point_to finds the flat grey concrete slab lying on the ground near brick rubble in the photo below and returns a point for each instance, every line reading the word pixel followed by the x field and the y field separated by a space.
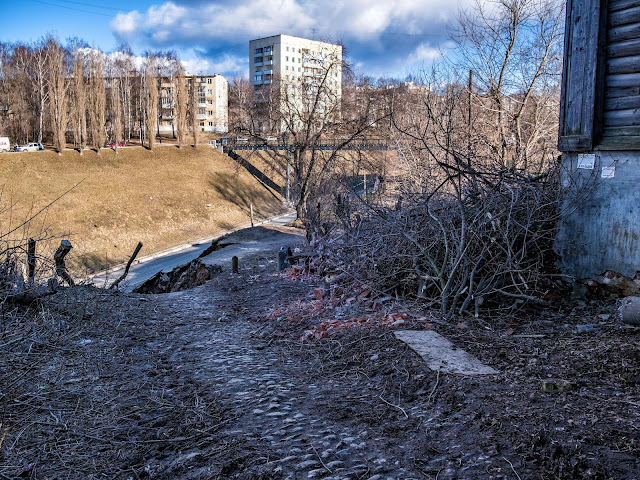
pixel 441 355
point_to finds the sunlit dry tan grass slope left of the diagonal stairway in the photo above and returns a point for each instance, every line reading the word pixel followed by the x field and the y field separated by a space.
pixel 162 197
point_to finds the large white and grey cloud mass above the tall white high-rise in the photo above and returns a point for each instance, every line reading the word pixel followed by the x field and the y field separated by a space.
pixel 386 35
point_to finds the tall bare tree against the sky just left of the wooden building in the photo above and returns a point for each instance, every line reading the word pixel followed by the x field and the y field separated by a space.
pixel 514 50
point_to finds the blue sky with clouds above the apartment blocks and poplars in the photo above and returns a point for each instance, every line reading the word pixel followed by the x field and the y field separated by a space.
pixel 383 38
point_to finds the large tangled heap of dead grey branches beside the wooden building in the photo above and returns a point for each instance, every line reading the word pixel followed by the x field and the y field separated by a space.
pixel 482 243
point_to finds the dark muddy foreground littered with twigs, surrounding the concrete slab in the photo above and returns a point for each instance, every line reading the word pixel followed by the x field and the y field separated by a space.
pixel 266 375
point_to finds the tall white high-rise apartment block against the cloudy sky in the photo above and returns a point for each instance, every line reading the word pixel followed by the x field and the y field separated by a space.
pixel 304 74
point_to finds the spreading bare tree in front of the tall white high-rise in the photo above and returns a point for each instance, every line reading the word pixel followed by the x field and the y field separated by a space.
pixel 320 141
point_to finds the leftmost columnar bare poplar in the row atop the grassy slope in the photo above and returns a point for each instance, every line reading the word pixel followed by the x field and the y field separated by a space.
pixel 57 92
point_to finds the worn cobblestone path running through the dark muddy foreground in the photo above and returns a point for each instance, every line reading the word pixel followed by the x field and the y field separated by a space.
pixel 272 405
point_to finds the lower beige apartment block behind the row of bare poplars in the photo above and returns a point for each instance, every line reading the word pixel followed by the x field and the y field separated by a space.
pixel 212 97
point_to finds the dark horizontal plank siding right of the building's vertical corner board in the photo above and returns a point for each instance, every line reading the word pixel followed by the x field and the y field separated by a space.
pixel 622 81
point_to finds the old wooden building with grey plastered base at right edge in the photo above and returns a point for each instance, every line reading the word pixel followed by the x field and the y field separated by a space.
pixel 599 138
